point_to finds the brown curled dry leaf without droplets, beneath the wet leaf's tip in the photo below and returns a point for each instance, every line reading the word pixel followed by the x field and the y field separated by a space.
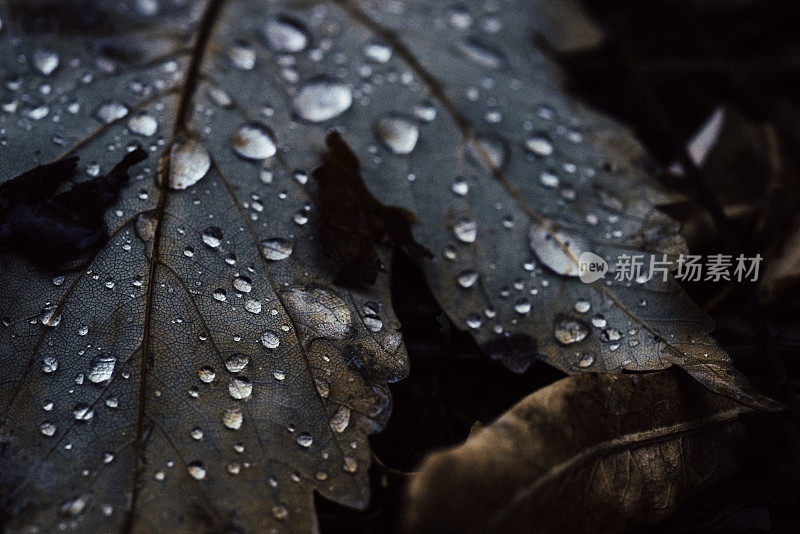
pixel 635 447
